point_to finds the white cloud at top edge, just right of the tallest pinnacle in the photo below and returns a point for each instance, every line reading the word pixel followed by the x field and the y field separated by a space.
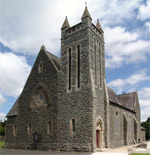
pixel 114 12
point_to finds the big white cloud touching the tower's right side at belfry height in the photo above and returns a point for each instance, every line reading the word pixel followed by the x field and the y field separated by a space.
pixel 124 47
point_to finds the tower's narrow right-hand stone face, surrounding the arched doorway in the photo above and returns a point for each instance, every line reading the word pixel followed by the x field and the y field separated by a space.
pixel 98 61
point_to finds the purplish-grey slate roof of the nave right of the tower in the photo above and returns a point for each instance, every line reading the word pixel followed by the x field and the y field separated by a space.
pixel 125 100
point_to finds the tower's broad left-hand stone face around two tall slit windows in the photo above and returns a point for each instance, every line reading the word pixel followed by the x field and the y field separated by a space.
pixel 77 102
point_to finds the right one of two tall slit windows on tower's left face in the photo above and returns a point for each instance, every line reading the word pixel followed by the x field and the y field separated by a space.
pixel 78 64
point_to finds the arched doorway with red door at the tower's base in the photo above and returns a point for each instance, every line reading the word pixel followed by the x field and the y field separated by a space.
pixel 99 134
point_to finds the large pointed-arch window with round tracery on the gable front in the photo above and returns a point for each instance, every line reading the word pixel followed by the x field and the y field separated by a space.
pixel 39 97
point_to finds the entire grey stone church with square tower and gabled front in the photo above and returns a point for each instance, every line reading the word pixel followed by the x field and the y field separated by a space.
pixel 66 105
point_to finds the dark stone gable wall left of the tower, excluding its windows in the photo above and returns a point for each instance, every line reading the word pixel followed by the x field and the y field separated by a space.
pixel 38 116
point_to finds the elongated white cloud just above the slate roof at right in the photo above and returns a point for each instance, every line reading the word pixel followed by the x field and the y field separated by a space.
pixel 121 85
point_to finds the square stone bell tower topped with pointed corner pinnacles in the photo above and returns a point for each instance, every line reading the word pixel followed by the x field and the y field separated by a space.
pixel 81 76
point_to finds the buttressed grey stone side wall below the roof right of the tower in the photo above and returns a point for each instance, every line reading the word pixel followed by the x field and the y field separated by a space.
pixel 117 139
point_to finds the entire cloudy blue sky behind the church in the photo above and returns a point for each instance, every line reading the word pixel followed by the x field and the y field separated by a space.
pixel 25 25
